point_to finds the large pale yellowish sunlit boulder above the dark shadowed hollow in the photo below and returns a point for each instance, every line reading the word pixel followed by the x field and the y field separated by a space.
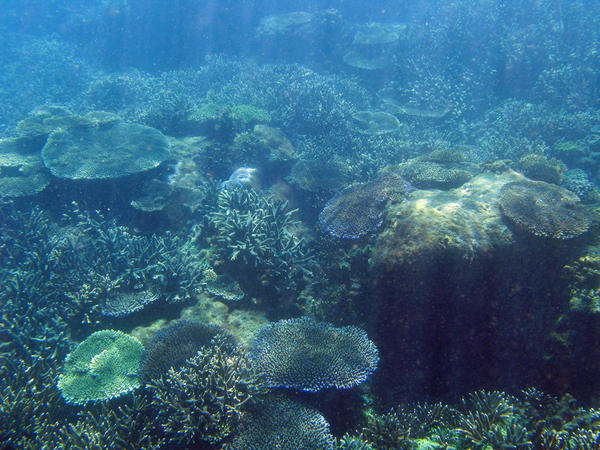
pixel 464 222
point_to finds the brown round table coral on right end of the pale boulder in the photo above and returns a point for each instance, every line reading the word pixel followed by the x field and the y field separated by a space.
pixel 544 210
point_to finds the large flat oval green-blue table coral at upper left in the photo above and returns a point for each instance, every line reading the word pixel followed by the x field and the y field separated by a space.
pixel 104 150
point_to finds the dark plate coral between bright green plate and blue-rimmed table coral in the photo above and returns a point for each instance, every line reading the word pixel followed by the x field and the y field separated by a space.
pixel 178 342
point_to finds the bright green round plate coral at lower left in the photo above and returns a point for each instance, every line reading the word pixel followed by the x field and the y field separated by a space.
pixel 102 367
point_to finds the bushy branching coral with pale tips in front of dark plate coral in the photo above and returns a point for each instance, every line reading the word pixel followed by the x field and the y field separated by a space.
pixel 204 400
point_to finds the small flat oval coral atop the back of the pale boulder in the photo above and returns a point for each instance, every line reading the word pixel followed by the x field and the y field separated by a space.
pixel 432 175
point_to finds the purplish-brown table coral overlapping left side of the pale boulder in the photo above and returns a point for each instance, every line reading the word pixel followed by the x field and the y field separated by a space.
pixel 358 210
